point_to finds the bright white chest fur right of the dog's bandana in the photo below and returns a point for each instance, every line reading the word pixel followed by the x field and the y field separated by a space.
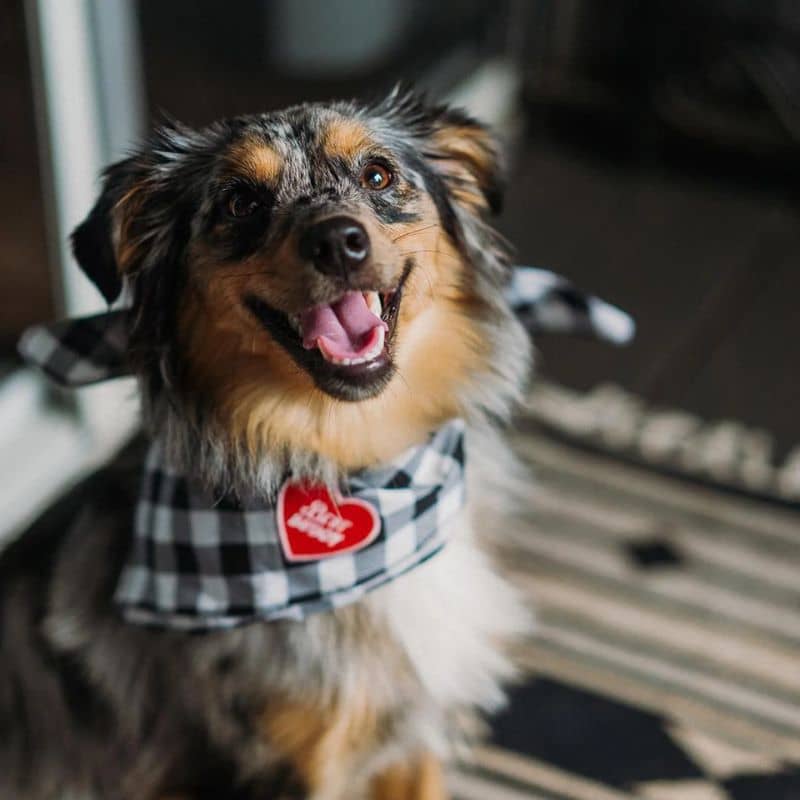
pixel 454 616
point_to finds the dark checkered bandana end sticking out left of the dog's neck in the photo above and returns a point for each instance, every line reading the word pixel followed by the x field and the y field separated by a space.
pixel 79 351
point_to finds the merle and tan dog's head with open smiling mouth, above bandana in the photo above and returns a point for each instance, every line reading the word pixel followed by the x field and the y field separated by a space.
pixel 321 279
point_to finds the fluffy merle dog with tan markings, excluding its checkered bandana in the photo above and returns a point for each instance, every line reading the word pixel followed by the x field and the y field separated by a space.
pixel 312 292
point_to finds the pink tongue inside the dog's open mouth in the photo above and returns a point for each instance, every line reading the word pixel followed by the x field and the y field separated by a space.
pixel 345 326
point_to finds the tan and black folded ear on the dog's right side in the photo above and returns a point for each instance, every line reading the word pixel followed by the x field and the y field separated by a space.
pixel 468 156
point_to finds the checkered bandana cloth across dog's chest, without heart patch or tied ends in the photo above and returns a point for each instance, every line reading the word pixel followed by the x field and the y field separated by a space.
pixel 201 562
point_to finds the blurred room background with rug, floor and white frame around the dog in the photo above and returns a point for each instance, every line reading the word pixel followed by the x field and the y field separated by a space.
pixel 654 152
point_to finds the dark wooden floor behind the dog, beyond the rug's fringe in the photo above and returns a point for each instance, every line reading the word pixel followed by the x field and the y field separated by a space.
pixel 704 251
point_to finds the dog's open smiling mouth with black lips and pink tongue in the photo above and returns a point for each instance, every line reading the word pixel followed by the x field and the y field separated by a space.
pixel 346 345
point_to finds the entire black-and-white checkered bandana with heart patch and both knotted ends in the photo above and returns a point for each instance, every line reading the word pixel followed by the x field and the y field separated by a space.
pixel 202 560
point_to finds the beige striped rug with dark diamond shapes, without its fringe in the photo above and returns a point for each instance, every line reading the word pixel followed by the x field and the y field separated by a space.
pixel 666 664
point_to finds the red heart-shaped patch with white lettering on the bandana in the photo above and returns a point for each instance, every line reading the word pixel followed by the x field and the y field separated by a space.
pixel 314 525
